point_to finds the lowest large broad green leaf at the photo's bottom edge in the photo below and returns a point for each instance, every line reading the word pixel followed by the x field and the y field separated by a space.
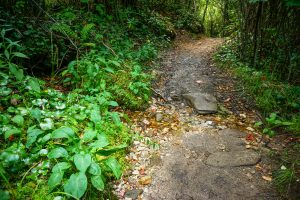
pixel 76 185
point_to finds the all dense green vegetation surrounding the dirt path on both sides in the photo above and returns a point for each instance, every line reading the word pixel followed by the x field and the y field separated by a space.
pixel 68 68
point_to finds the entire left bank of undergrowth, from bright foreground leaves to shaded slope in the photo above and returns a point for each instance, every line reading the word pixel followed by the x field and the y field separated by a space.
pixel 57 144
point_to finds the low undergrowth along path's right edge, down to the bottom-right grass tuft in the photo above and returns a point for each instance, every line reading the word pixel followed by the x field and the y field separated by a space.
pixel 279 103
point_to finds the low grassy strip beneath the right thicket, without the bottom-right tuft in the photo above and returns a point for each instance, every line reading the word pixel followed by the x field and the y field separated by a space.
pixel 279 102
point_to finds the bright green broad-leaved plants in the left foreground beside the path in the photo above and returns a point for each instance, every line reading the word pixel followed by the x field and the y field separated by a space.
pixel 71 140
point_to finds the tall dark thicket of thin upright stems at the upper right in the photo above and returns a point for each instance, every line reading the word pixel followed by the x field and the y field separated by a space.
pixel 260 42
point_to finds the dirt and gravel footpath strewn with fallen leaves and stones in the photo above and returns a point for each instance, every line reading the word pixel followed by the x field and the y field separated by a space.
pixel 208 148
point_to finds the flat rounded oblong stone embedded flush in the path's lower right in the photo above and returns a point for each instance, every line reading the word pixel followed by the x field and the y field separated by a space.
pixel 233 158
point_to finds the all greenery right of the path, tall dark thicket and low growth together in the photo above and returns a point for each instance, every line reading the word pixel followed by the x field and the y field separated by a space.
pixel 263 50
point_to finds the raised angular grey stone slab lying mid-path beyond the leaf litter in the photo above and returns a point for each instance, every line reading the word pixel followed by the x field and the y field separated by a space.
pixel 203 103
